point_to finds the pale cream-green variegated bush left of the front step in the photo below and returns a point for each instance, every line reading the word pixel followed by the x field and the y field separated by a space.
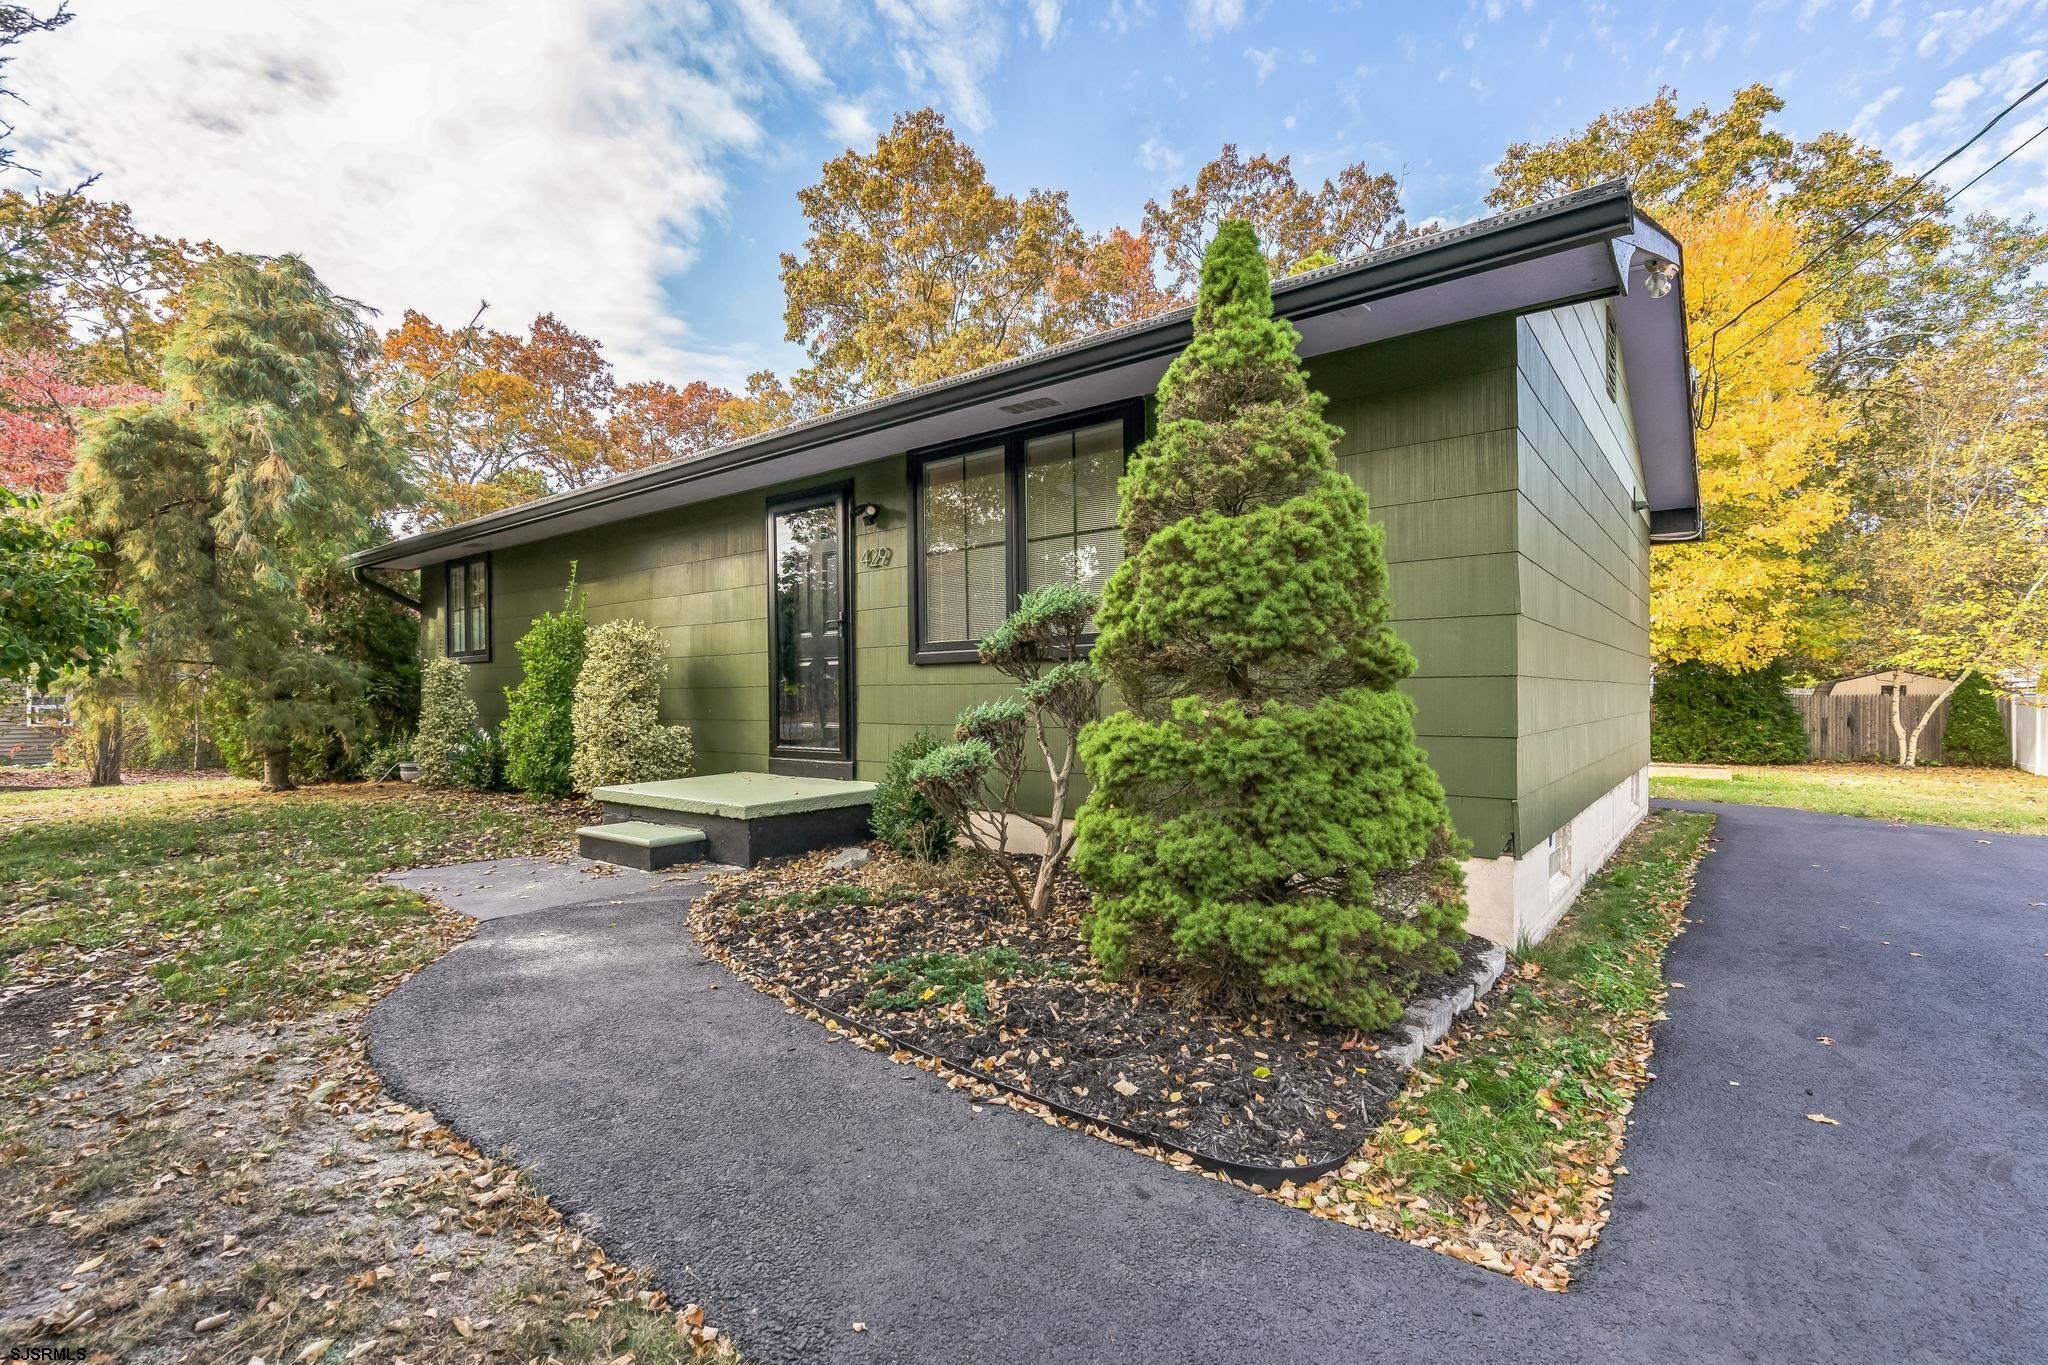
pixel 617 713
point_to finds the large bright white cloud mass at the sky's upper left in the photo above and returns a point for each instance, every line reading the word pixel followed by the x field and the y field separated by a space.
pixel 542 157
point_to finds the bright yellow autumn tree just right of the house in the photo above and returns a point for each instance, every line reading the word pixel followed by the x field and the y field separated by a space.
pixel 1768 449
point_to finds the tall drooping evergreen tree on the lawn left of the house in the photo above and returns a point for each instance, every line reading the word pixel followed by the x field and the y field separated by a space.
pixel 253 476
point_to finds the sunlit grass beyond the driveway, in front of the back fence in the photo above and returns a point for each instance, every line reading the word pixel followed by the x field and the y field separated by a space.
pixel 1998 799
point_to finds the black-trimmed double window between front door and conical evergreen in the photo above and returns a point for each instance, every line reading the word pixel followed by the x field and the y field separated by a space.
pixel 1011 513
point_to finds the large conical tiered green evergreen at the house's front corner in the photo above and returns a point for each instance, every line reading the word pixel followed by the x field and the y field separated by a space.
pixel 1261 820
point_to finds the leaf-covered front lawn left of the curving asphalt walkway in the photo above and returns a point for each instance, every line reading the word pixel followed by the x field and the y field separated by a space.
pixel 196 1159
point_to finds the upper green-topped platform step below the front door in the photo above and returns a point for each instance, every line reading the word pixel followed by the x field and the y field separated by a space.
pixel 749 818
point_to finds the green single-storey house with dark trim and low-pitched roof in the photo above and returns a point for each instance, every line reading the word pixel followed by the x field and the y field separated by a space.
pixel 1514 398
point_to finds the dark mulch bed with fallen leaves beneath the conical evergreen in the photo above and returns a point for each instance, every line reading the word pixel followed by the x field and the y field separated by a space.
pixel 943 961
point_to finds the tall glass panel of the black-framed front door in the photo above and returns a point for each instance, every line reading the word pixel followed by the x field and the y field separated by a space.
pixel 810 629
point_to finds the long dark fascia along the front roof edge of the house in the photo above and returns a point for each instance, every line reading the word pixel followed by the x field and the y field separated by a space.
pixel 1601 214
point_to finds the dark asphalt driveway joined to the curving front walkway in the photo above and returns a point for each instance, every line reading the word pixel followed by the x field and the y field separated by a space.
pixel 796 1186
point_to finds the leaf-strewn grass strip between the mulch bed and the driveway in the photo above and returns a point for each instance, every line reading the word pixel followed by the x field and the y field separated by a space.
pixel 1506 1145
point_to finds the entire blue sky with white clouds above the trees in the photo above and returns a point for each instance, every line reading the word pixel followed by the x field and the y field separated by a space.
pixel 634 167
